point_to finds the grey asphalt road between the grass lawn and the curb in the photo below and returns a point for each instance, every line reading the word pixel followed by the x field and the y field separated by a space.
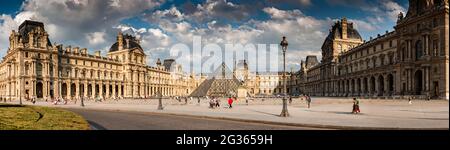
pixel 122 120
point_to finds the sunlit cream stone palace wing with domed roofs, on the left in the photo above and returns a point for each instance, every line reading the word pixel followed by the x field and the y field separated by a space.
pixel 34 67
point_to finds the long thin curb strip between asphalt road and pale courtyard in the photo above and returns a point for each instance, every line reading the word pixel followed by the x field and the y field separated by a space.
pixel 319 126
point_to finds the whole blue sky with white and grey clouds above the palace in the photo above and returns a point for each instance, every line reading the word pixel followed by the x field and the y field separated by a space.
pixel 160 24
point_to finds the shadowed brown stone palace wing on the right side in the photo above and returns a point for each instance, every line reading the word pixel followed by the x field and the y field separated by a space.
pixel 412 60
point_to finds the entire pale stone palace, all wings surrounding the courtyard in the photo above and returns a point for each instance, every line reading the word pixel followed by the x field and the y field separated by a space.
pixel 412 60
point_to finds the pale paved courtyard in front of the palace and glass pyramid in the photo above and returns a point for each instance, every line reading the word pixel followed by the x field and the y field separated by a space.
pixel 324 112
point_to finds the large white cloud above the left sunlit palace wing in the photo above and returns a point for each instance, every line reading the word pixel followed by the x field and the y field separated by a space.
pixel 68 21
